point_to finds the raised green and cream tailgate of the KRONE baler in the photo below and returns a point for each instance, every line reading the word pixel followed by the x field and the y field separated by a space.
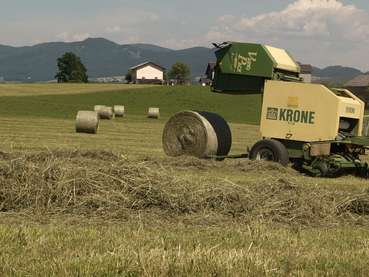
pixel 244 67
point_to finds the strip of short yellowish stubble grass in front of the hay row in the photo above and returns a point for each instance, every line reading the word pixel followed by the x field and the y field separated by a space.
pixel 138 249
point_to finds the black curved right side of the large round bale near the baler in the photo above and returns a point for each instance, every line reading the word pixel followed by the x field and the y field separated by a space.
pixel 222 130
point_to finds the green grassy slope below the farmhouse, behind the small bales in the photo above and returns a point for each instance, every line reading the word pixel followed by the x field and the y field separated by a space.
pixel 235 108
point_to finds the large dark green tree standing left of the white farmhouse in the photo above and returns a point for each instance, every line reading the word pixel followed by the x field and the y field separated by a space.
pixel 71 69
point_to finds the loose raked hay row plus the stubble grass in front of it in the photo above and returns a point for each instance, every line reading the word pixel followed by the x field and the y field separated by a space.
pixel 176 217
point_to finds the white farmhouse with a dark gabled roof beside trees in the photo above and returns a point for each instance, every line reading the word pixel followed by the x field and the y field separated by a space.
pixel 147 73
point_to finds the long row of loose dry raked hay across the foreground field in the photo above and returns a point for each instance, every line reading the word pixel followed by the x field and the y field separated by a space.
pixel 102 184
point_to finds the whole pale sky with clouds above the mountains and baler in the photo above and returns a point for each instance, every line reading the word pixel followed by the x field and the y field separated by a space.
pixel 320 32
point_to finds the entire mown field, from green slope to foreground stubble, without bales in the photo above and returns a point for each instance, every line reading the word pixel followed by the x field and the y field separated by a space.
pixel 113 204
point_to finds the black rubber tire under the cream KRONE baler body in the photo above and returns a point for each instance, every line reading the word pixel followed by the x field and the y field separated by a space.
pixel 276 148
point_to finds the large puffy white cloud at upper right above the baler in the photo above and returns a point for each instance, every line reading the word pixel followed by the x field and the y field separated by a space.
pixel 328 19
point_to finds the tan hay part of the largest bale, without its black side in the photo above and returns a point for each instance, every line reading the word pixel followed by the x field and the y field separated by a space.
pixel 189 133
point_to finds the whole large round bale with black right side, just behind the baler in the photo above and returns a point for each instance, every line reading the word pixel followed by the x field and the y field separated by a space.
pixel 192 133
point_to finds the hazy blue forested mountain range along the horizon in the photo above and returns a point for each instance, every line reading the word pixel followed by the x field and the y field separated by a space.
pixel 105 58
